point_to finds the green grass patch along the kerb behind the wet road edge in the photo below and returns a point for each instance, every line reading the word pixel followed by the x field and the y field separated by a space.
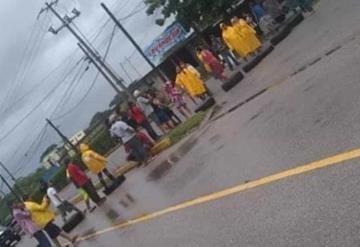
pixel 184 128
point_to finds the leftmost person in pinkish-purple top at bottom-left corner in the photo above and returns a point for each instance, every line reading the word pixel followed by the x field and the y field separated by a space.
pixel 23 218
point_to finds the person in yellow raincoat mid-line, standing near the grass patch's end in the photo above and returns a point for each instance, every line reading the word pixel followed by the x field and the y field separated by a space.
pixel 188 78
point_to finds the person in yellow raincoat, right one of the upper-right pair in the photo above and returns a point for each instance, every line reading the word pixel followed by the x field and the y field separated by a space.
pixel 247 32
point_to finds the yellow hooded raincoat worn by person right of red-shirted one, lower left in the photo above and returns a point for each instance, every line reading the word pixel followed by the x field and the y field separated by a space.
pixel 95 162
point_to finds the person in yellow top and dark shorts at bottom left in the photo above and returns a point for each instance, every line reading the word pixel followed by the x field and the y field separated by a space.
pixel 44 218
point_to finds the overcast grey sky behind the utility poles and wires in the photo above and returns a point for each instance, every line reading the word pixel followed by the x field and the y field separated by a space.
pixel 34 63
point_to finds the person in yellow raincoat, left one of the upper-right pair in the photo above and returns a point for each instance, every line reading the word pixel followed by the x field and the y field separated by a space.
pixel 235 41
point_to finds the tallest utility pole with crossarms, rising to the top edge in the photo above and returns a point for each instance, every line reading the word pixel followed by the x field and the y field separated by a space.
pixel 66 21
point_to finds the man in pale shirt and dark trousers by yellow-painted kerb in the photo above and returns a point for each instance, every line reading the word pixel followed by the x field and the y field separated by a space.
pixel 127 134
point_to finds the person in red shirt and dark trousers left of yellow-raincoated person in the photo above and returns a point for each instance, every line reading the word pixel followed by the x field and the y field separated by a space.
pixel 81 180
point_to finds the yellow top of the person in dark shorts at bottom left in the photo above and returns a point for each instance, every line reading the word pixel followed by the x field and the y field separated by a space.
pixel 40 213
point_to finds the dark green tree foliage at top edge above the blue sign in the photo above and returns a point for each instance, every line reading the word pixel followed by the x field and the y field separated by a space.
pixel 188 12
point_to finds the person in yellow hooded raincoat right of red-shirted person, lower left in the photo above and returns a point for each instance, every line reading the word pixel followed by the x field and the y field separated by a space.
pixel 96 163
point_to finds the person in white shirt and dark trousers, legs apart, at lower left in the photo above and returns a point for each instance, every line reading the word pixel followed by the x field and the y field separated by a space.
pixel 61 205
